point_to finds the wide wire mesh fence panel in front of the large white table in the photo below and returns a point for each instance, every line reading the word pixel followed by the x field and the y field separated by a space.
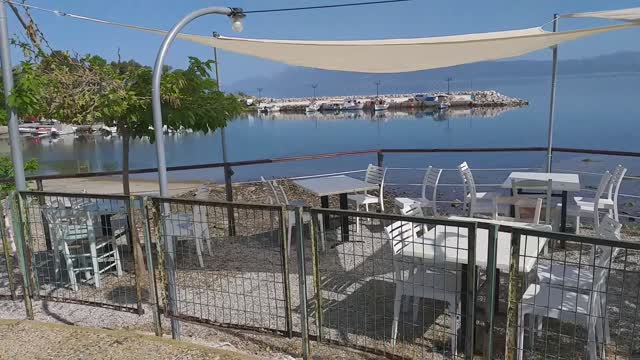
pixel 395 285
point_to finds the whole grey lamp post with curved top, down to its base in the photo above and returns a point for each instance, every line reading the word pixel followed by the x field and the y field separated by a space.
pixel 236 16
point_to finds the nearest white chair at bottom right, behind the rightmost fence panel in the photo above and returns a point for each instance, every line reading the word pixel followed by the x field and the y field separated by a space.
pixel 573 294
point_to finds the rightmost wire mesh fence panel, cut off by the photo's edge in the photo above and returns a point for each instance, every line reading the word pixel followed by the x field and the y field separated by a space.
pixel 576 302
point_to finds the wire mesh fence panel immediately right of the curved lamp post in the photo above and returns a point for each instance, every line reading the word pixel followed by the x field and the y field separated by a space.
pixel 229 262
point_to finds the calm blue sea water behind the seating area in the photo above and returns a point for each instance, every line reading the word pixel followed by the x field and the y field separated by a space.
pixel 598 112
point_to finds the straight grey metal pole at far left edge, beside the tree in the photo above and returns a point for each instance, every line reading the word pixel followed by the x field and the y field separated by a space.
pixel 12 116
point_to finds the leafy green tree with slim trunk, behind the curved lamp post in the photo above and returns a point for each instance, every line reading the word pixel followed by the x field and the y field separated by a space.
pixel 88 89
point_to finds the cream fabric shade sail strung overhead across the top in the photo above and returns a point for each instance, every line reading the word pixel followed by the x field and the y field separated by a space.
pixel 403 55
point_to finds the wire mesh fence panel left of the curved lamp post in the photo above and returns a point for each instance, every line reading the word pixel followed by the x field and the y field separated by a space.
pixel 79 249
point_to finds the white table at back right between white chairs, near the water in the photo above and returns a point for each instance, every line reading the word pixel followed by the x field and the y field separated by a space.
pixel 561 182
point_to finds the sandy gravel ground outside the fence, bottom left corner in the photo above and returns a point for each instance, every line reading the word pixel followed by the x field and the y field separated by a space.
pixel 22 339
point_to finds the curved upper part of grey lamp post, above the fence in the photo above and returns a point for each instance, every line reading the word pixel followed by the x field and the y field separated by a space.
pixel 155 85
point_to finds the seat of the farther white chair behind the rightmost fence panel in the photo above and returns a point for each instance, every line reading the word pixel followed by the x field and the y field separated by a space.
pixel 566 276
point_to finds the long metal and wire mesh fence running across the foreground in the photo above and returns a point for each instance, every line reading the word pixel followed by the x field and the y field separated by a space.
pixel 380 286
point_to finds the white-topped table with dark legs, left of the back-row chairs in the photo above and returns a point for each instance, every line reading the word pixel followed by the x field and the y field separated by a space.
pixel 335 185
